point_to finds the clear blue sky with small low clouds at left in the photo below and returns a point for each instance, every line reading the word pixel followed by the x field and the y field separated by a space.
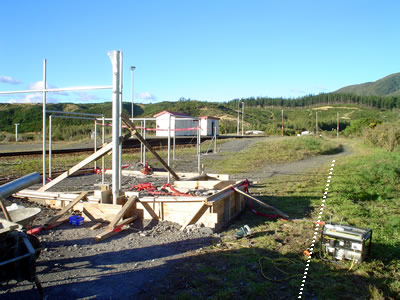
pixel 206 50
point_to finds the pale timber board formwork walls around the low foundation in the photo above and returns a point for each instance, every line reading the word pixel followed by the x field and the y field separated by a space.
pixel 213 211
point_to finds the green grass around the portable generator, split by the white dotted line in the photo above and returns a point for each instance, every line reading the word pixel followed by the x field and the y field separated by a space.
pixel 364 192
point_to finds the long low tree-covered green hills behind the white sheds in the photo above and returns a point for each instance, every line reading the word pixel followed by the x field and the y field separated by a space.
pixel 260 114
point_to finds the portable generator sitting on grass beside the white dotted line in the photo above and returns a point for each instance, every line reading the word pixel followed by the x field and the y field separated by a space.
pixel 340 242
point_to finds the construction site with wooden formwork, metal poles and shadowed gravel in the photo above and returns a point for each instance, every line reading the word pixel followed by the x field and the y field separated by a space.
pixel 80 225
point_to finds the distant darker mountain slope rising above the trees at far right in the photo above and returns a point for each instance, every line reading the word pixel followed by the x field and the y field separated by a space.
pixel 387 86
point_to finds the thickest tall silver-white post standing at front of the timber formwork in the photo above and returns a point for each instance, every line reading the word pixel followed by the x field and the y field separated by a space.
pixel 115 60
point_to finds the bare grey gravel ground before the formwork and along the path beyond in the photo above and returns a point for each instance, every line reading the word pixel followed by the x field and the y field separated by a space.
pixel 132 264
